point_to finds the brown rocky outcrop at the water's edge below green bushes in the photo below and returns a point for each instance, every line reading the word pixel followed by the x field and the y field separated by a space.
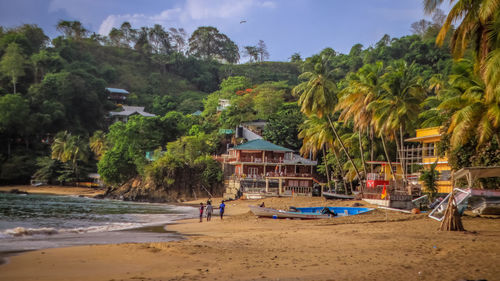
pixel 187 186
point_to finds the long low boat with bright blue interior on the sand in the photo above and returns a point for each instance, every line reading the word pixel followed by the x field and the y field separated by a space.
pixel 308 213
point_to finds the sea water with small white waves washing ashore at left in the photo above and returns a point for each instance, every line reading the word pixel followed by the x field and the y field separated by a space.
pixel 29 222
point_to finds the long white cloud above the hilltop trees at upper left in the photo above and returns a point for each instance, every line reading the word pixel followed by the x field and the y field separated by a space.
pixel 190 14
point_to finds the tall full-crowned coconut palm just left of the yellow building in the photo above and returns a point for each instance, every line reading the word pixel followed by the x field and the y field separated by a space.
pixel 395 110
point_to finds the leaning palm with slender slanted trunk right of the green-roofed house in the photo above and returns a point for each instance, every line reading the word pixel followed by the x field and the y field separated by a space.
pixel 317 96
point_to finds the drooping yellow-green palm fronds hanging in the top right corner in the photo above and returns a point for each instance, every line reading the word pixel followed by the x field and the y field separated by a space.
pixel 476 18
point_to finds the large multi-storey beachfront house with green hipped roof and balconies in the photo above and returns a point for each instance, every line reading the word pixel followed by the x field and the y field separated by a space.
pixel 259 168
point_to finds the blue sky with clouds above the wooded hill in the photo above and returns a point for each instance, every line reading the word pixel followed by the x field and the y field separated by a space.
pixel 286 26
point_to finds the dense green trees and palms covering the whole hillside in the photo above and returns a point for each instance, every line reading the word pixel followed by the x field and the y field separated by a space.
pixel 344 109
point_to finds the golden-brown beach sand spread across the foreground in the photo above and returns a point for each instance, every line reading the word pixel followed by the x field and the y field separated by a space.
pixel 377 246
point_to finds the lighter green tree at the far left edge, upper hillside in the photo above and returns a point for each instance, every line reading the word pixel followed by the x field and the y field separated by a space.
pixel 12 63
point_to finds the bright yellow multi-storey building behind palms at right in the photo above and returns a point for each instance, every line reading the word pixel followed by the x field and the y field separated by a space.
pixel 426 153
